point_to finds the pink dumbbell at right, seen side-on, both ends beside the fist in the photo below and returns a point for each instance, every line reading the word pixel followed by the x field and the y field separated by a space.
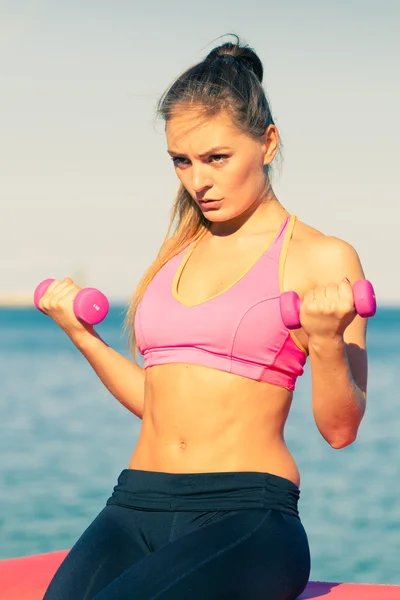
pixel 364 302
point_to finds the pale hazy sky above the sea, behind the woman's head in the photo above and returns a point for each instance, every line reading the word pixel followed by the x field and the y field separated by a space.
pixel 86 184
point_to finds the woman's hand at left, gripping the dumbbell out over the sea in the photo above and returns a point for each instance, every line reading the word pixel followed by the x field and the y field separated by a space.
pixel 57 302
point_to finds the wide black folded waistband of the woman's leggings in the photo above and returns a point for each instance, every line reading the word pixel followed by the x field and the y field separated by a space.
pixel 153 490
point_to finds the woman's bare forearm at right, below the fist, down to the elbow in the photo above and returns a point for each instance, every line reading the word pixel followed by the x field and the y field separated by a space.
pixel 338 403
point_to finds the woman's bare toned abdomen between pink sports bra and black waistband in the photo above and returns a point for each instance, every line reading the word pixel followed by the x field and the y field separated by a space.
pixel 198 419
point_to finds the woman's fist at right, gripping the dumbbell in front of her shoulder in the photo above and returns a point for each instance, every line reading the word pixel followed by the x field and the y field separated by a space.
pixel 326 311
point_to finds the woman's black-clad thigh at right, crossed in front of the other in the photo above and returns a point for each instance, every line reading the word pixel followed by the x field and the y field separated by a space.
pixel 254 554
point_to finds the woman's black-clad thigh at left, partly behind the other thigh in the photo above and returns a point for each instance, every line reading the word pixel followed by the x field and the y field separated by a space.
pixel 111 544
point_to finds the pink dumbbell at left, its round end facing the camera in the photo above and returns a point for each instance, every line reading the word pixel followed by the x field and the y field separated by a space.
pixel 90 305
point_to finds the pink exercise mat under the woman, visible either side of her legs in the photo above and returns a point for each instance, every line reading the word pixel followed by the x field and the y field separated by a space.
pixel 27 579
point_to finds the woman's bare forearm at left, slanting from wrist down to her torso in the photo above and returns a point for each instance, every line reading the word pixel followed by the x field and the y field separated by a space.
pixel 123 379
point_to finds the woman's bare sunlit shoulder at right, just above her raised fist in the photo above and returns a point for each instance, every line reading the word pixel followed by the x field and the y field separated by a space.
pixel 328 258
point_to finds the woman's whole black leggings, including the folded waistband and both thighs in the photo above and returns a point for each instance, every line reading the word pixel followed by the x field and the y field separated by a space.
pixel 200 536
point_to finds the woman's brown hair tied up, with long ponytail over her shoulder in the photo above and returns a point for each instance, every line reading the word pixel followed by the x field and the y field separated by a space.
pixel 229 79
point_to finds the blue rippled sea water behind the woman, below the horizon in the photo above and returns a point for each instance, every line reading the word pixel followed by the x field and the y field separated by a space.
pixel 64 440
